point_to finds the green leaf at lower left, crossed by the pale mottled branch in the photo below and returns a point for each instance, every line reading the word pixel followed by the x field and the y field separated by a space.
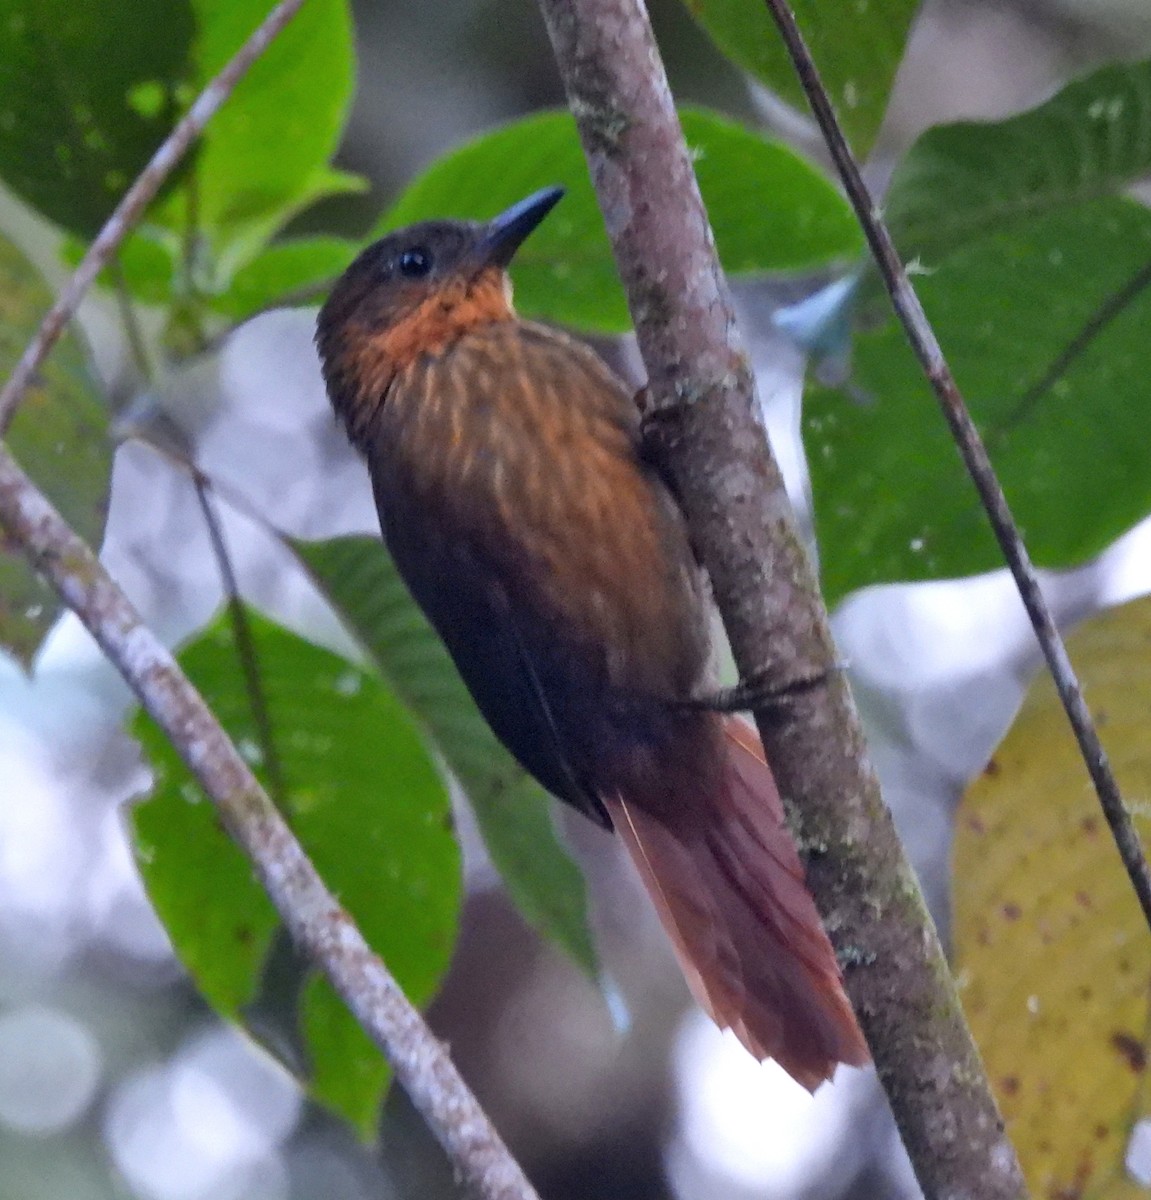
pixel 367 803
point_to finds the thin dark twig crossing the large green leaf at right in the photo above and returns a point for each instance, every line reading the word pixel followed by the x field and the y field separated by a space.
pixel 975 458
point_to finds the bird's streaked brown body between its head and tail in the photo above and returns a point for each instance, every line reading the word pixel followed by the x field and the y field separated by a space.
pixel 553 562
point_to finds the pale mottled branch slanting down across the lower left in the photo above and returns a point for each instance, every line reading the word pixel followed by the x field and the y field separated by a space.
pixel 313 915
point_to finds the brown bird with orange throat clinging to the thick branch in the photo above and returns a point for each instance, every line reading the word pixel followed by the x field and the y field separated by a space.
pixel 553 560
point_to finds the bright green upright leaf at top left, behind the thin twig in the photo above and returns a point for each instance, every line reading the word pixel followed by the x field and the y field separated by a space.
pixel 266 154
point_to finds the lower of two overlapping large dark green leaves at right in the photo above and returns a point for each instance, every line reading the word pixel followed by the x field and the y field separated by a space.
pixel 892 501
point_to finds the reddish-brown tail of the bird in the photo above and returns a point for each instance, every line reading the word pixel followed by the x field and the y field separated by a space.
pixel 729 887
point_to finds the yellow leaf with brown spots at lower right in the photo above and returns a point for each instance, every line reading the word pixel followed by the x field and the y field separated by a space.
pixel 1053 955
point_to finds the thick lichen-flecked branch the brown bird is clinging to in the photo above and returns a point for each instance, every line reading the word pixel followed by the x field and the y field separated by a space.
pixel 704 393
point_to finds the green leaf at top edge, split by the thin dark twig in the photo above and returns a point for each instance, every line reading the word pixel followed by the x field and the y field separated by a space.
pixel 858 49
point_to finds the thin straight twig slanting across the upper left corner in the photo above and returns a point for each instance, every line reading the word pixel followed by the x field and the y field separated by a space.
pixel 134 203
